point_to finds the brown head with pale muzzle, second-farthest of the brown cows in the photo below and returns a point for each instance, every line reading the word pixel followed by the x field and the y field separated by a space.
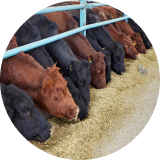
pixel 130 51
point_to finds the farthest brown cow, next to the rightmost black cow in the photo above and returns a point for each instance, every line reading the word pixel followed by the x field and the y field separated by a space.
pixel 123 26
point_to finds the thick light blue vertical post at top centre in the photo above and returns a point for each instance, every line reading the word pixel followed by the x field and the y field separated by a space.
pixel 83 15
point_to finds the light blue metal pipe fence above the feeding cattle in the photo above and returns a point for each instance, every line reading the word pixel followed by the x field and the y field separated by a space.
pixel 83 27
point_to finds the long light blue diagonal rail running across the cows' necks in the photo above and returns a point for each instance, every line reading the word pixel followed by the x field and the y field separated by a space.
pixel 42 42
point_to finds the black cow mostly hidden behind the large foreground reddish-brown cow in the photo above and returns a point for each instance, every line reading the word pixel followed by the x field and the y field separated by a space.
pixel 32 34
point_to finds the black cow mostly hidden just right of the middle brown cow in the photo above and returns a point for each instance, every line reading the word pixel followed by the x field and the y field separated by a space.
pixel 92 40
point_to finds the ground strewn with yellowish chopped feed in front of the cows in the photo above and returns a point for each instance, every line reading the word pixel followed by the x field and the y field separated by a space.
pixel 117 114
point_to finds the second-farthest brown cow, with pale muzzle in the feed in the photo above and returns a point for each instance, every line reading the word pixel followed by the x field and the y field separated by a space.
pixel 130 51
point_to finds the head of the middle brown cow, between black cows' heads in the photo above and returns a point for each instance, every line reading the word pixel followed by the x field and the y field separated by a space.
pixel 97 70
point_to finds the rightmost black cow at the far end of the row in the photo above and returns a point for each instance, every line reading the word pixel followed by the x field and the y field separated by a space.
pixel 136 28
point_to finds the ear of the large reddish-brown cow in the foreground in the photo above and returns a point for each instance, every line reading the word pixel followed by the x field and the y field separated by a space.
pixel 46 85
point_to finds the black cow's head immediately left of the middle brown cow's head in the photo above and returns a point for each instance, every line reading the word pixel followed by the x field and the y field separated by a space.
pixel 81 77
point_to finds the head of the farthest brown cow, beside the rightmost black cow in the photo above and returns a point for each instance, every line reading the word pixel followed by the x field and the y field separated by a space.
pixel 138 43
